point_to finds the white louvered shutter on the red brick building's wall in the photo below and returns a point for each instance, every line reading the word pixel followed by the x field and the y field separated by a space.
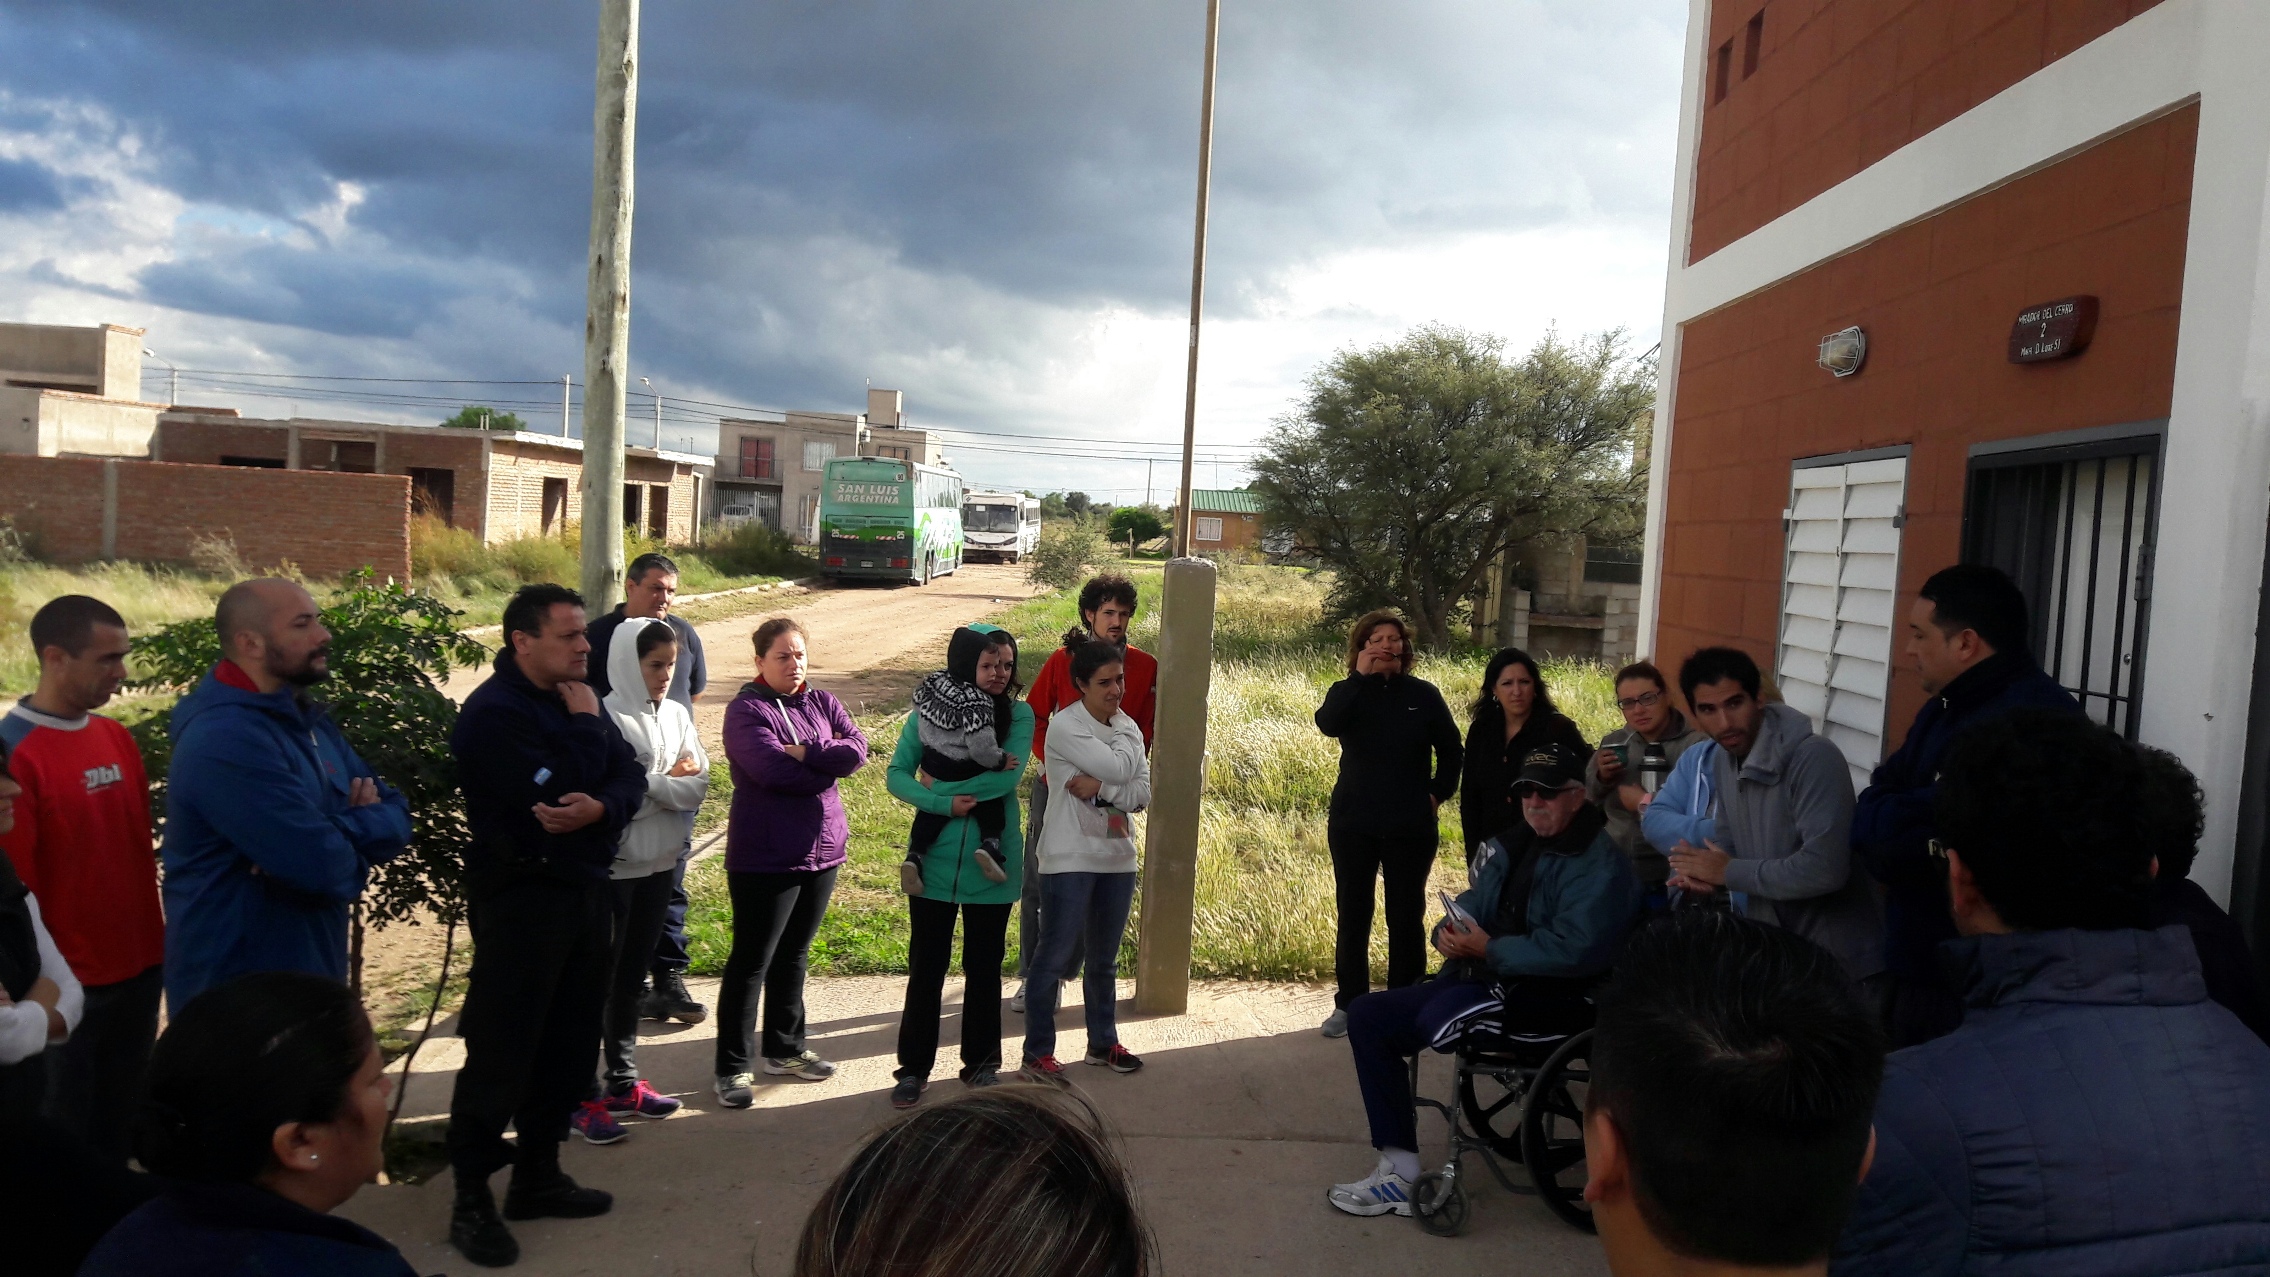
pixel 1840 602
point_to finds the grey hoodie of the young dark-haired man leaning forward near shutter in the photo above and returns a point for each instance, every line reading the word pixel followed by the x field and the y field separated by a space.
pixel 1785 815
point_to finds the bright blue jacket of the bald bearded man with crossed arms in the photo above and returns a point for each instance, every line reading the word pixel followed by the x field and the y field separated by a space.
pixel 262 852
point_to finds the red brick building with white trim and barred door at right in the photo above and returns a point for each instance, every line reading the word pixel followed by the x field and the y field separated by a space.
pixel 1978 280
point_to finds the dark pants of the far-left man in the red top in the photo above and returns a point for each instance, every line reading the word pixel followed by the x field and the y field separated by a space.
pixel 94 1076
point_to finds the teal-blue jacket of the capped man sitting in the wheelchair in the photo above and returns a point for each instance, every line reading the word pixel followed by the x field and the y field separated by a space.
pixel 1581 906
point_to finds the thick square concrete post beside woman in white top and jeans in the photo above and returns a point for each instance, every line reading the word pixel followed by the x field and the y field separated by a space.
pixel 1170 872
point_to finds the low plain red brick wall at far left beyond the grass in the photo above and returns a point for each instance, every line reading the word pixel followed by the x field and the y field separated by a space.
pixel 328 525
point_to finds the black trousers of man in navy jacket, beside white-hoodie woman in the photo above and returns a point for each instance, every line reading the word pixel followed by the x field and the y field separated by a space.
pixel 541 956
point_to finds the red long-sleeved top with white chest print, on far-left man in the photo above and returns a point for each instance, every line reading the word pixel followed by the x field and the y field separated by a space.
pixel 83 843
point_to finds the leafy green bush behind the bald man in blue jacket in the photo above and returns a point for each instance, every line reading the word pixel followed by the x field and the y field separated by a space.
pixel 392 650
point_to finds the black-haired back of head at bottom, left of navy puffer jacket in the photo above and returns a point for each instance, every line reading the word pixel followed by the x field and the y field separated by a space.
pixel 1740 1072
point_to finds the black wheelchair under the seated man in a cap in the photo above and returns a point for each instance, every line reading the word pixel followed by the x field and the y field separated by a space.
pixel 1517 1099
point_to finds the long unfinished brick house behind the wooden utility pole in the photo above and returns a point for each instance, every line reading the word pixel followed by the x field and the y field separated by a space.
pixel 496 484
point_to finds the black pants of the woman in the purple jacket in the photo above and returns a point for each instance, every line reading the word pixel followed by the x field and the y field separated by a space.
pixel 775 920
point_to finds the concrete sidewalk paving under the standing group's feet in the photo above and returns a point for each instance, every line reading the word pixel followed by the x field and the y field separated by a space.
pixel 1238 1124
